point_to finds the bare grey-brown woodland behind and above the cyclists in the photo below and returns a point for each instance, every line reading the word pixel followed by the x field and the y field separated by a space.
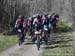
pixel 11 8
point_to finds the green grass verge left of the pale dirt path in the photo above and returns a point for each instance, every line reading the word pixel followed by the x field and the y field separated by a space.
pixel 7 41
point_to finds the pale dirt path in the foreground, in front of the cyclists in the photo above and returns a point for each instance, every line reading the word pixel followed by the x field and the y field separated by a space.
pixel 24 50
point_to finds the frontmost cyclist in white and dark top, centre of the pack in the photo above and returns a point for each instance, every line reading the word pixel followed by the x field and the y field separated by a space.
pixel 37 27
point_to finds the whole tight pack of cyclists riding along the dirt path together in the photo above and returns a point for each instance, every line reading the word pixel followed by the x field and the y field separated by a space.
pixel 39 26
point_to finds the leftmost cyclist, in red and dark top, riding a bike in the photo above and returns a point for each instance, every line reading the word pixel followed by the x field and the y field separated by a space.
pixel 19 25
